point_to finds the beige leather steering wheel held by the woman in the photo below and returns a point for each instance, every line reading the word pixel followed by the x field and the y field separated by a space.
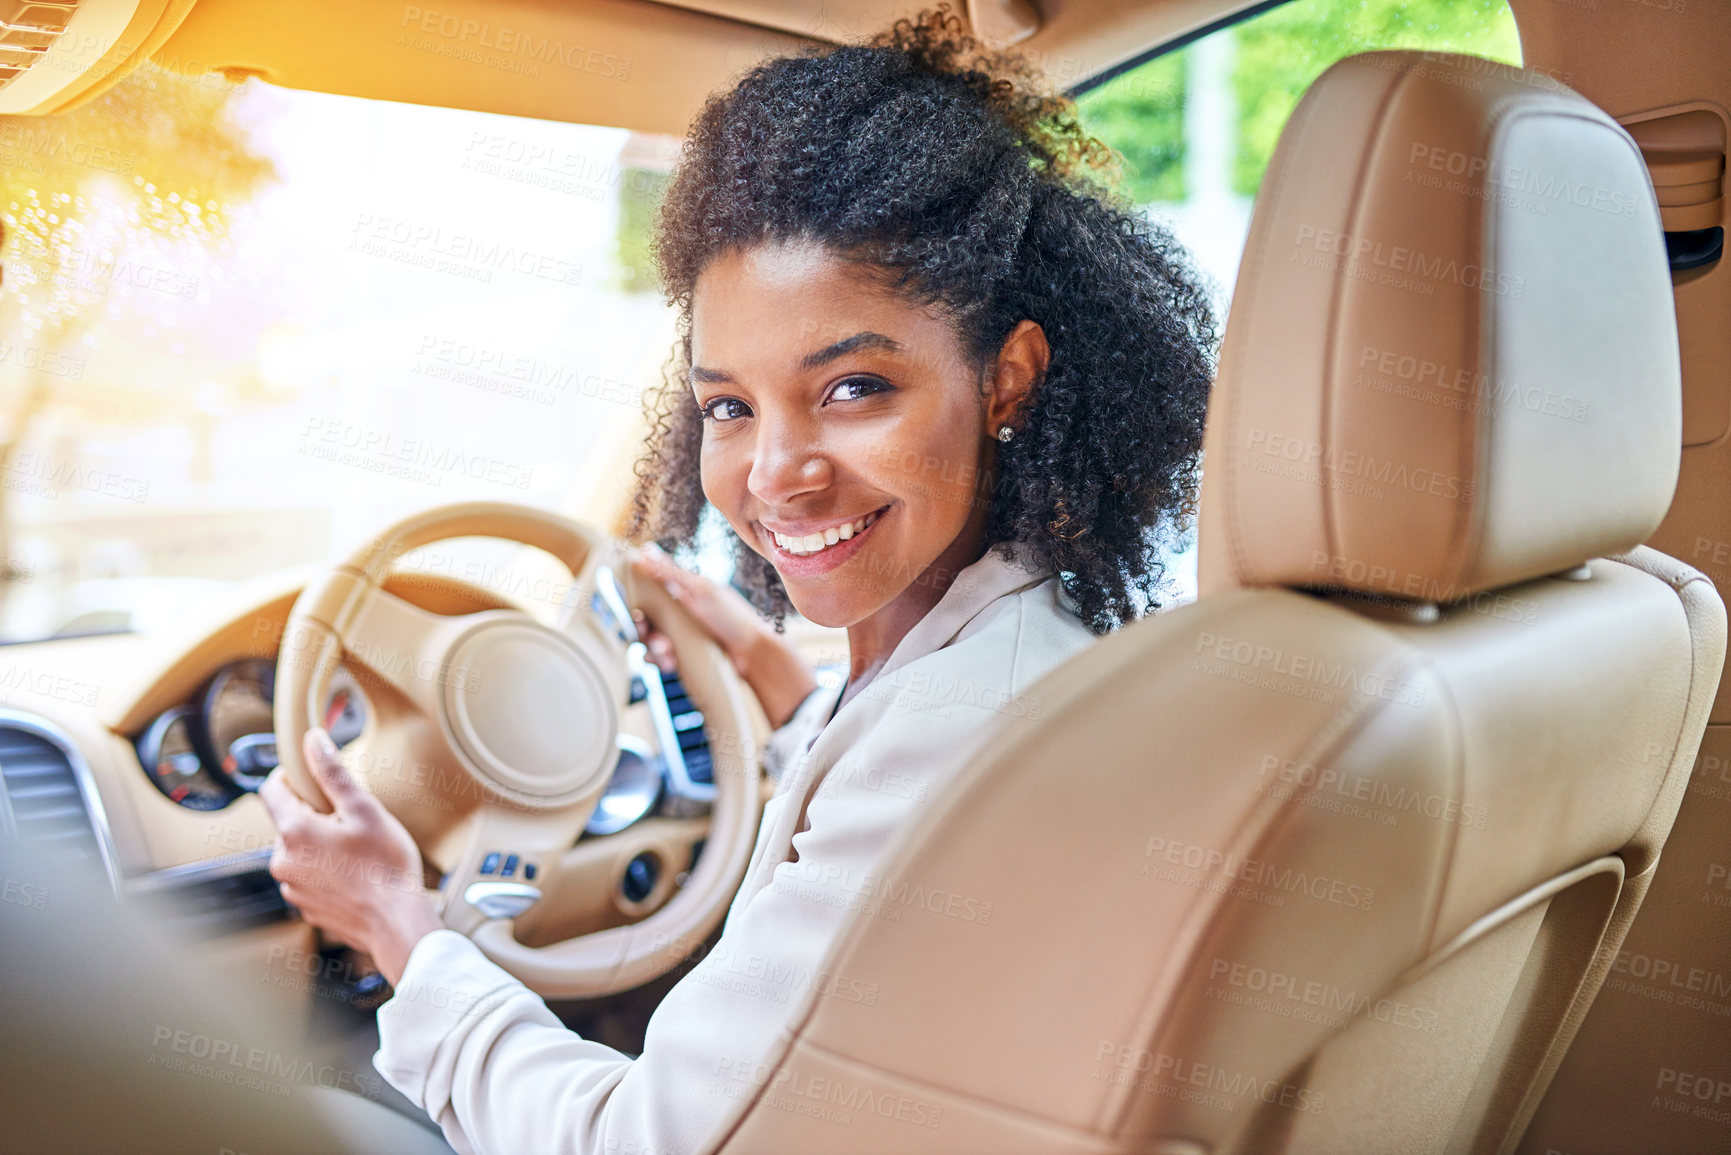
pixel 492 737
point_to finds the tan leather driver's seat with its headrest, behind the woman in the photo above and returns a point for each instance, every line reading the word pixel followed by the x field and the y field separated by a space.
pixel 1335 858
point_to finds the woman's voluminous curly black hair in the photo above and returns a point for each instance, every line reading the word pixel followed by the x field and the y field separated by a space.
pixel 963 179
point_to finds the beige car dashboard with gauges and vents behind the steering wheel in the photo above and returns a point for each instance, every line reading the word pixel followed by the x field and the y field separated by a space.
pixel 151 773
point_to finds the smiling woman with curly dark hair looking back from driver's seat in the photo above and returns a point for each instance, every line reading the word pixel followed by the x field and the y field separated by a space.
pixel 948 392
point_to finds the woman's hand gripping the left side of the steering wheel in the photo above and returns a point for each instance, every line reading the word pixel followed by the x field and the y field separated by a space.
pixel 356 872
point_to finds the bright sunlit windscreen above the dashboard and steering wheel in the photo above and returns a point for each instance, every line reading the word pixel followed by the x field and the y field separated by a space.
pixel 243 326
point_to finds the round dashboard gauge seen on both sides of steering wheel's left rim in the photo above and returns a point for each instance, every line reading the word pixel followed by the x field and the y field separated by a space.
pixel 241 728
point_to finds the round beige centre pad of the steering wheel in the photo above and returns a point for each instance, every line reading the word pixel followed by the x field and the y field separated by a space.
pixel 532 713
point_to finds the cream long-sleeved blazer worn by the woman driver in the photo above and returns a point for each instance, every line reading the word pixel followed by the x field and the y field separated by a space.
pixel 498 1071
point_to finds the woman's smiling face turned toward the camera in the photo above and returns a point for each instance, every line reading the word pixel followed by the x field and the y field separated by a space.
pixel 846 430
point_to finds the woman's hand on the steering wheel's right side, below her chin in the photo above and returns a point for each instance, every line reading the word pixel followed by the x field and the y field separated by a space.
pixel 764 659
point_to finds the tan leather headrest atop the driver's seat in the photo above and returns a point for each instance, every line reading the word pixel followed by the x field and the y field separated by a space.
pixel 1451 361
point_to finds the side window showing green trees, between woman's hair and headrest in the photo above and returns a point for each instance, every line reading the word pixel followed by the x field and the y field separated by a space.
pixel 1197 126
